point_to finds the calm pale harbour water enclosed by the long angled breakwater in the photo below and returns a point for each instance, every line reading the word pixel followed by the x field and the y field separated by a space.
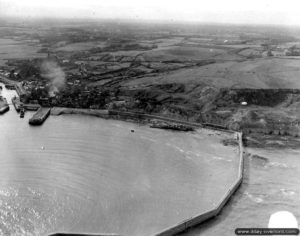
pixel 85 174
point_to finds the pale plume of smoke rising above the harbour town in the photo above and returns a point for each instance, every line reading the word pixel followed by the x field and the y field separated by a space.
pixel 52 71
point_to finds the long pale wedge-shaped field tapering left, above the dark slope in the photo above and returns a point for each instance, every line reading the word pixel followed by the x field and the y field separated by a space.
pixel 258 73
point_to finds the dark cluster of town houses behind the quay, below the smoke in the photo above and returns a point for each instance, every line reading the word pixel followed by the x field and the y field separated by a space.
pixel 73 94
